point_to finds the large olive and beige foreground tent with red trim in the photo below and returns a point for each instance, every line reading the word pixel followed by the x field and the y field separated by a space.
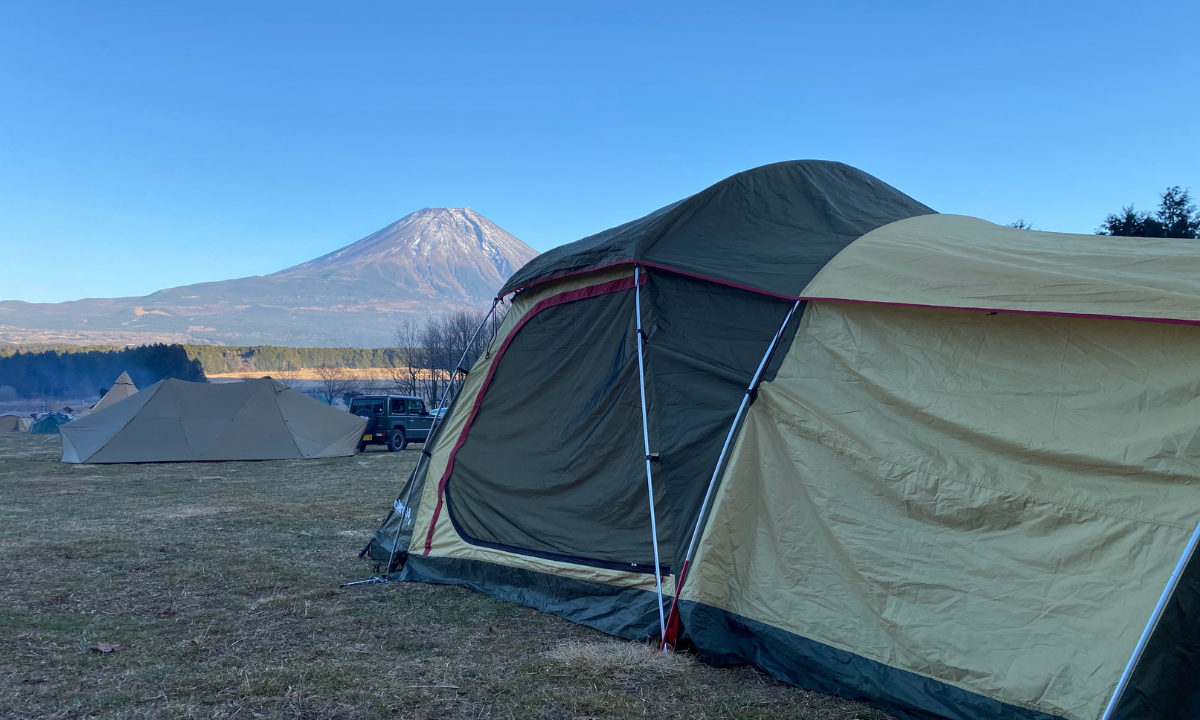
pixel 922 460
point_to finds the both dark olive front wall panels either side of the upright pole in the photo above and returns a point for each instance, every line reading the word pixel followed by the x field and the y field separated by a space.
pixel 554 463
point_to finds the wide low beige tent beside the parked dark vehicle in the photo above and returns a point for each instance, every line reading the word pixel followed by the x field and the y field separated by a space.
pixel 181 422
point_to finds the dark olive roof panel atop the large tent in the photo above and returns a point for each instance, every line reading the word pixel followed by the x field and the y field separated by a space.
pixel 771 229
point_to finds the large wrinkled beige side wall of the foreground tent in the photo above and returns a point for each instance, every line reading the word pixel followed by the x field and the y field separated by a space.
pixel 995 502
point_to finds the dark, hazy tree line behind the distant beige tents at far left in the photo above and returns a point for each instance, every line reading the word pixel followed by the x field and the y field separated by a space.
pixel 33 373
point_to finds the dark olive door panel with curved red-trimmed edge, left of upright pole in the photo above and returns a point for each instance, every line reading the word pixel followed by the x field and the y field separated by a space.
pixel 553 464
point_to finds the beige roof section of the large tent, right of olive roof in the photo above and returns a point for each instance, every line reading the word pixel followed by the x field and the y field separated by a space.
pixel 952 261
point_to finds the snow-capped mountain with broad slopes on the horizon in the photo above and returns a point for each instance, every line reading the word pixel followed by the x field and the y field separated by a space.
pixel 430 262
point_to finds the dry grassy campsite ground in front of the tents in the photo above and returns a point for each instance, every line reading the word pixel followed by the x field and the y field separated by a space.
pixel 220 584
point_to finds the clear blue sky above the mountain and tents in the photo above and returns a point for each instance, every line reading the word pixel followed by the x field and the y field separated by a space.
pixel 148 146
